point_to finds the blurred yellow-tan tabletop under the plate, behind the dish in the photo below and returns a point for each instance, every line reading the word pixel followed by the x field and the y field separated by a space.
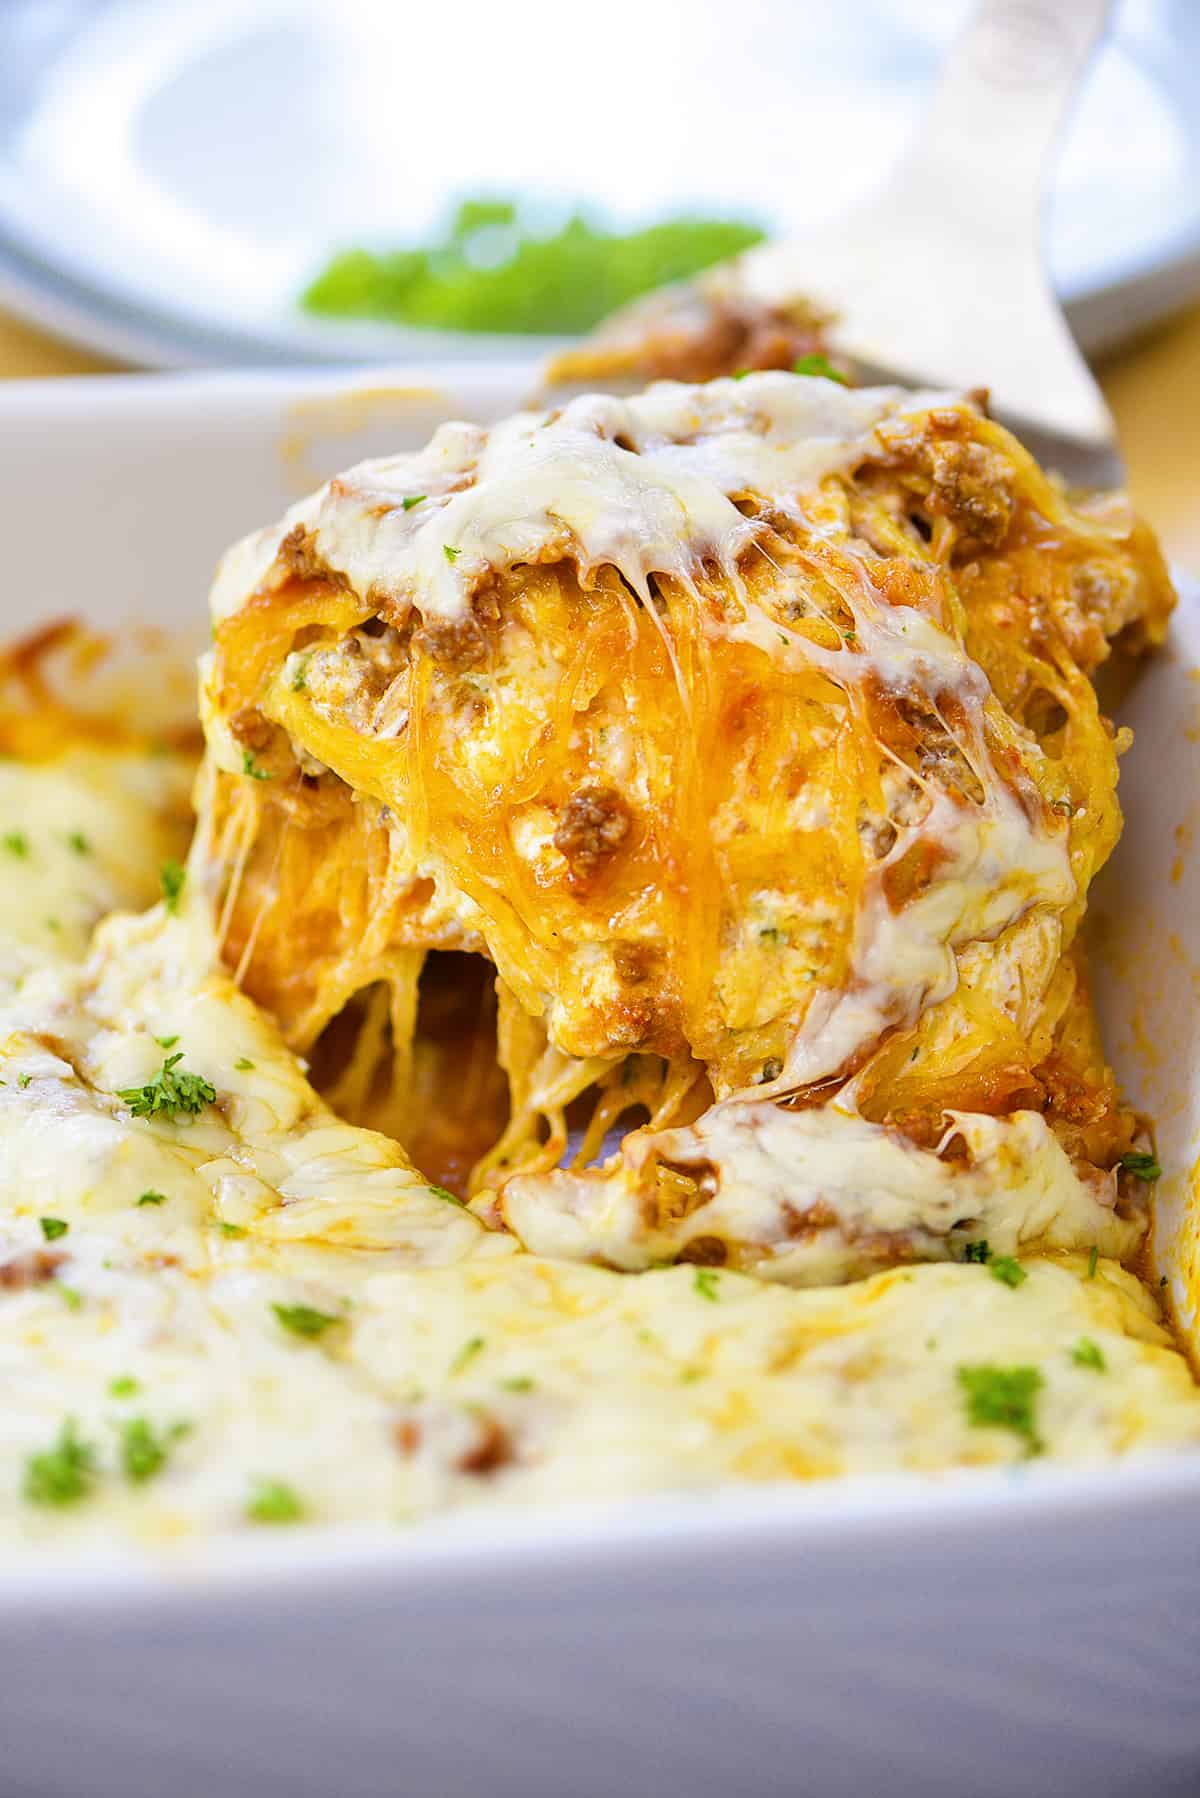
pixel 1154 389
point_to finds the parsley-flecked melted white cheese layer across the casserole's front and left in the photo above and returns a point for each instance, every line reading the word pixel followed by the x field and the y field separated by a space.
pixel 460 1369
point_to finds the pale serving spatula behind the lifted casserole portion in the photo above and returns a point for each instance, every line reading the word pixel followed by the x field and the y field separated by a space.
pixel 940 278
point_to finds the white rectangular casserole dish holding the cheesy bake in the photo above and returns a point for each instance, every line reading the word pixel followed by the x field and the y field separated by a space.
pixel 1032 1632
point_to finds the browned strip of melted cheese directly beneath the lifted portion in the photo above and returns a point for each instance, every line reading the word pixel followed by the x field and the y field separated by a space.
pixel 821 1197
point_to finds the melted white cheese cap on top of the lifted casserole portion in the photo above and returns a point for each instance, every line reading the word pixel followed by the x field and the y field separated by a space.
pixel 641 485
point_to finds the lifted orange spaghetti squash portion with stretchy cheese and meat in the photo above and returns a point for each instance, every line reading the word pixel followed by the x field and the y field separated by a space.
pixel 771 648
